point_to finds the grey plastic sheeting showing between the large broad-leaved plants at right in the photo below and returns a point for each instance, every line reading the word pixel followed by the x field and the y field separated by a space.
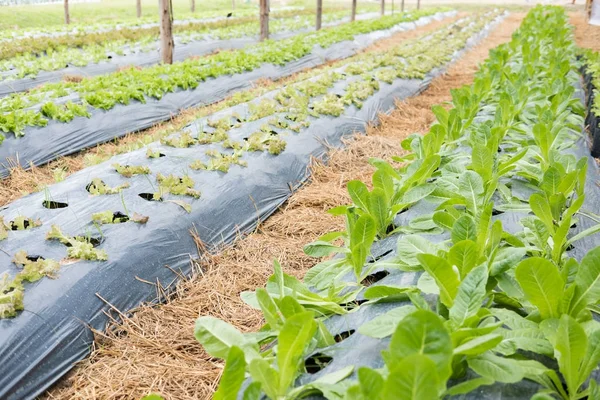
pixel 364 351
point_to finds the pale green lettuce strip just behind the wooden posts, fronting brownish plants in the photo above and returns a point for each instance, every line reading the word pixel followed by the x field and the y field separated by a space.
pixel 30 64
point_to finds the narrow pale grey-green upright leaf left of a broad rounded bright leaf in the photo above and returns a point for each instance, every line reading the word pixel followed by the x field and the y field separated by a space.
pixel 470 295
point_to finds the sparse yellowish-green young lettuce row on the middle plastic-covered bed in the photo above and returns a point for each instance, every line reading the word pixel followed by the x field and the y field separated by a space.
pixel 226 141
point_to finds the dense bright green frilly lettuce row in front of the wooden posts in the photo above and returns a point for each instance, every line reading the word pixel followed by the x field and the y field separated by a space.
pixel 72 99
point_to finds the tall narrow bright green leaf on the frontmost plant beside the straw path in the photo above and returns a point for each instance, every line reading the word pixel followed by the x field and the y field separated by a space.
pixel 293 339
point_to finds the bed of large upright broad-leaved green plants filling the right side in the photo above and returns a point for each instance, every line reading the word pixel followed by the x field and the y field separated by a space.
pixel 493 304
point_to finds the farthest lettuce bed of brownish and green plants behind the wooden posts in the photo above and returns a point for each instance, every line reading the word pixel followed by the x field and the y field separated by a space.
pixel 27 57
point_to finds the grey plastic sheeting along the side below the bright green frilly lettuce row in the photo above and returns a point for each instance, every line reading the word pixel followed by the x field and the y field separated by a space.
pixel 44 144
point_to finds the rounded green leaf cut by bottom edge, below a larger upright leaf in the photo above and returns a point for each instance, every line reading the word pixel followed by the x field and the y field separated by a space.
pixel 414 378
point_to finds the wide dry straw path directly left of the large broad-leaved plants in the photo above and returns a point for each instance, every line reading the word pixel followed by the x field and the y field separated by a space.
pixel 155 350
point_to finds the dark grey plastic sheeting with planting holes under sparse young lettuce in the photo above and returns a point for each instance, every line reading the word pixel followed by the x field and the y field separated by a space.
pixel 43 342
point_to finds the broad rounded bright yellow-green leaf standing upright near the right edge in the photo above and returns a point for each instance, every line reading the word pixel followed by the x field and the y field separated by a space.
pixel 542 284
